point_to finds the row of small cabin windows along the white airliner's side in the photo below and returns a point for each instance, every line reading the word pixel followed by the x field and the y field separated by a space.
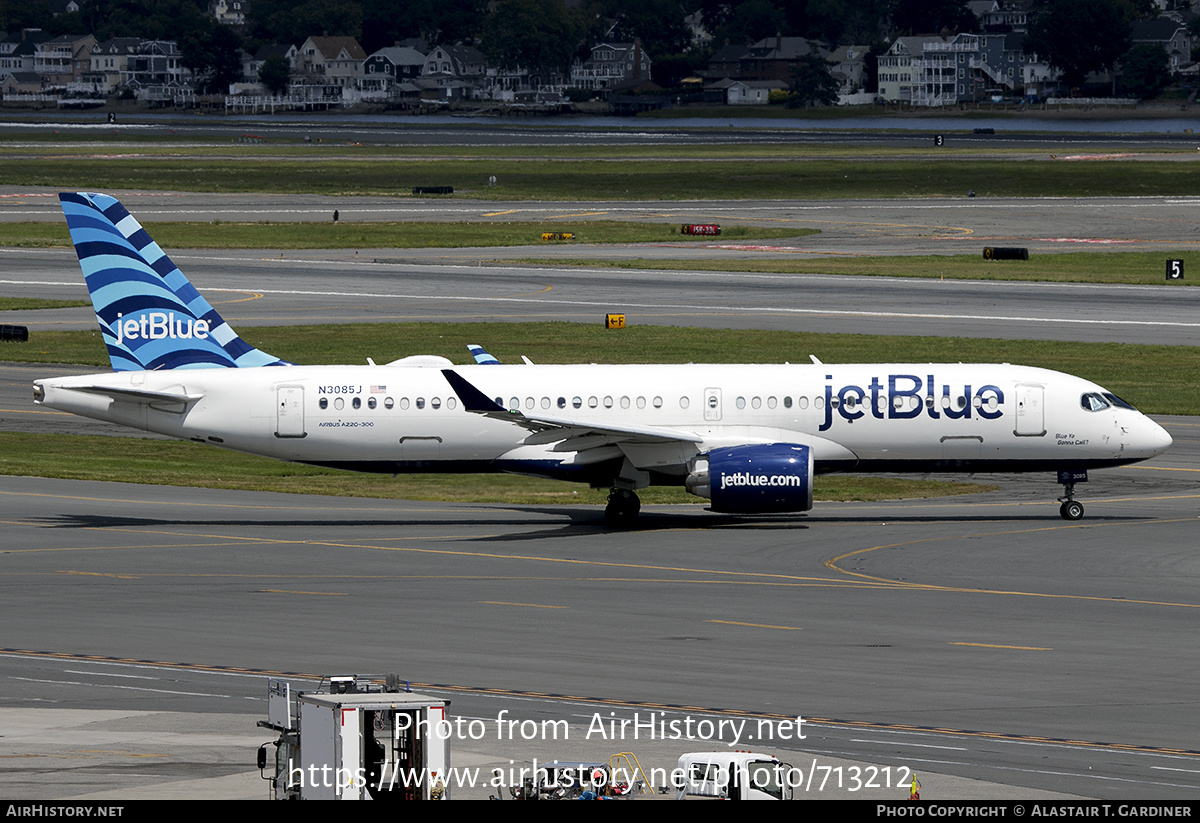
pixel 907 403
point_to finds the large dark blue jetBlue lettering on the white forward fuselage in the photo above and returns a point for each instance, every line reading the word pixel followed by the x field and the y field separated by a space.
pixel 909 397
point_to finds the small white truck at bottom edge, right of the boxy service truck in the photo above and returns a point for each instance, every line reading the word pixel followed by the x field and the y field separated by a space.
pixel 733 776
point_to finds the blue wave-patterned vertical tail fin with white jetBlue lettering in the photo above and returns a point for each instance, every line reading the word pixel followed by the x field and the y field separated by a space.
pixel 152 317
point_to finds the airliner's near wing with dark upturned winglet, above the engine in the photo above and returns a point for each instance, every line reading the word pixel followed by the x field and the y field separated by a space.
pixel 579 432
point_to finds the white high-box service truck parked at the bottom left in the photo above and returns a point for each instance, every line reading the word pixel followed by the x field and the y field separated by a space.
pixel 357 741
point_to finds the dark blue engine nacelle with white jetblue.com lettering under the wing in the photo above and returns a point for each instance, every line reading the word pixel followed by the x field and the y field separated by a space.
pixel 776 477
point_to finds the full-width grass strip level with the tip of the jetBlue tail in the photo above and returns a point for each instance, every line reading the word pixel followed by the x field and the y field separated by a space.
pixel 625 181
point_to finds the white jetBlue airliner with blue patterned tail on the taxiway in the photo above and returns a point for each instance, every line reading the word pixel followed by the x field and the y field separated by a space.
pixel 749 438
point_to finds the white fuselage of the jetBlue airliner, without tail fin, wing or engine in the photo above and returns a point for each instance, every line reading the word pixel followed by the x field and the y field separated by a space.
pixel 868 418
